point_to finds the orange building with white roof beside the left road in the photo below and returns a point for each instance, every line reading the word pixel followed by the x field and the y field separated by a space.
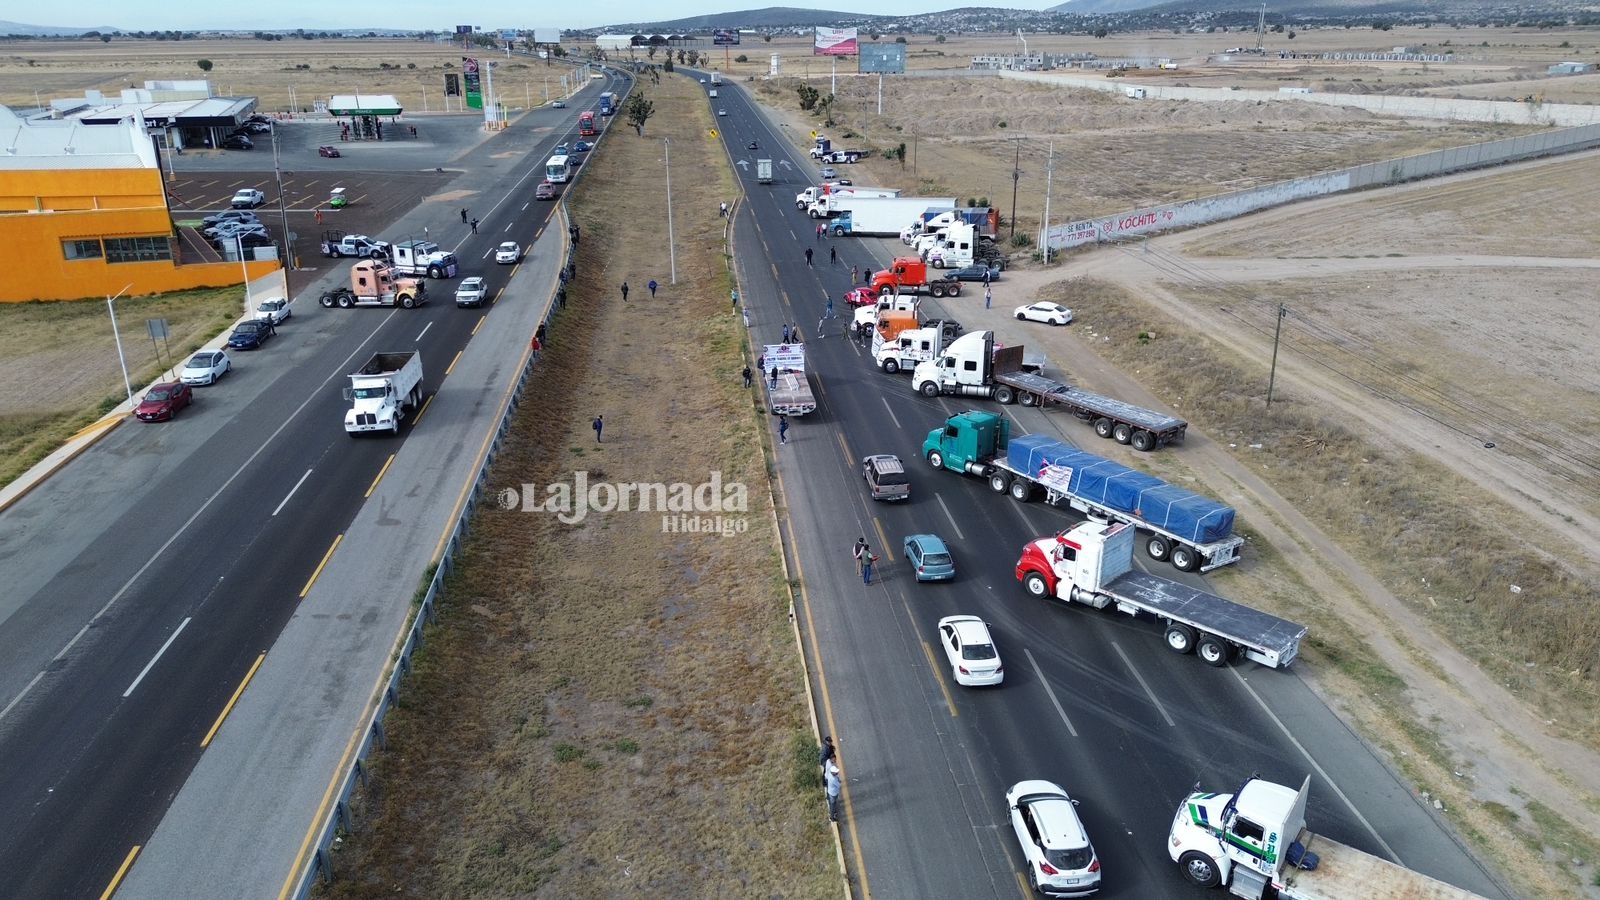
pixel 84 214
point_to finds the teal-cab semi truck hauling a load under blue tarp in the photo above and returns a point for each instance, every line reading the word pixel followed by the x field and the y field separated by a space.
pixel 1193 532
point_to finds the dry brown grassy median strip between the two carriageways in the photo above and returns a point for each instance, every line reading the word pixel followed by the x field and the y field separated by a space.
pixel 612 702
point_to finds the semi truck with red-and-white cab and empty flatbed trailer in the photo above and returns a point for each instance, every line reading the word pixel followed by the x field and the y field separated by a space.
pixel 1092 565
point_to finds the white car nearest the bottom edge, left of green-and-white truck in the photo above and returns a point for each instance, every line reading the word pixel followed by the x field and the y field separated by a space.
pixel 1060 859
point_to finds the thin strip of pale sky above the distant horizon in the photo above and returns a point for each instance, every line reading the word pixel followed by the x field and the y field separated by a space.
pixel 492 15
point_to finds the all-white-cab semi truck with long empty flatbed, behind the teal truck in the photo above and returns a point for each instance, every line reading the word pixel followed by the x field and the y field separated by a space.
pixel 975 369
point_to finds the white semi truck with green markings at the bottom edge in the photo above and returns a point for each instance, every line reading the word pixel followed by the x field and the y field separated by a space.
pixel 1257 845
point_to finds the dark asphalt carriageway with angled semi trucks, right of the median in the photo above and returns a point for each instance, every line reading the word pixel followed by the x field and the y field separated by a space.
pixel 1092 701
